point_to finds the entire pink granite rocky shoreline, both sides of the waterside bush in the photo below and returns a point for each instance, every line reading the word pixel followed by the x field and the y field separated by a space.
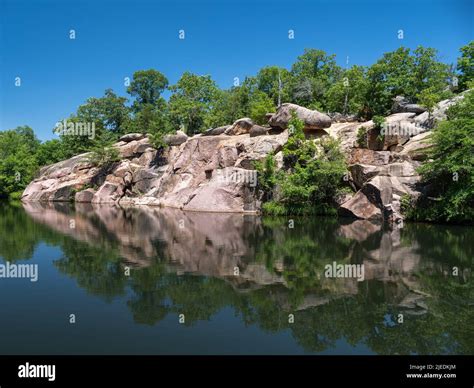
pixel 213 171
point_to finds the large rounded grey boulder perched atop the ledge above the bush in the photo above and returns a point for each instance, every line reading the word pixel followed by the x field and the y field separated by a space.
pixel 312 118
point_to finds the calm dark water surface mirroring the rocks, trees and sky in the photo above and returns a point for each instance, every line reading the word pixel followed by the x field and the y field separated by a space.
pixel 245 285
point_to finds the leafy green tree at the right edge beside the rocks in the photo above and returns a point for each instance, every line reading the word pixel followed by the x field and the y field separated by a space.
pixel 449 173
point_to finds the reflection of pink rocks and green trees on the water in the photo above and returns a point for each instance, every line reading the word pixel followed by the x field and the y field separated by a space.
pixel 198 264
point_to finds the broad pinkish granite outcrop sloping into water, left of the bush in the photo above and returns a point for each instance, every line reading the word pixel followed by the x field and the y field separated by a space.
pixel 201 173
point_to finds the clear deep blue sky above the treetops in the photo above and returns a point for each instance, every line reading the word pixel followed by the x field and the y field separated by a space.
pixel 225 39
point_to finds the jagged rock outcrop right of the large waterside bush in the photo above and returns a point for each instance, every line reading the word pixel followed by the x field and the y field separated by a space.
pixel 386 170
